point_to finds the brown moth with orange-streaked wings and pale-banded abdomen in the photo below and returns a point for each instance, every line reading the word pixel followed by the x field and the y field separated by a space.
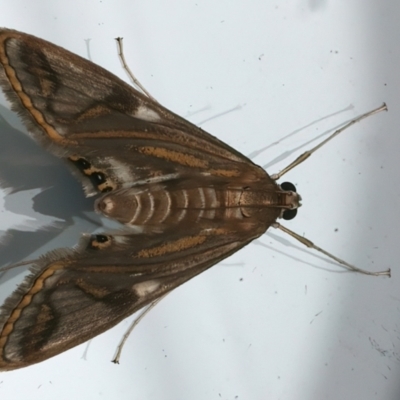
pixel 186 199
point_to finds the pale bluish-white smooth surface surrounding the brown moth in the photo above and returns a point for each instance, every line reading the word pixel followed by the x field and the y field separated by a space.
pixel 273 321
